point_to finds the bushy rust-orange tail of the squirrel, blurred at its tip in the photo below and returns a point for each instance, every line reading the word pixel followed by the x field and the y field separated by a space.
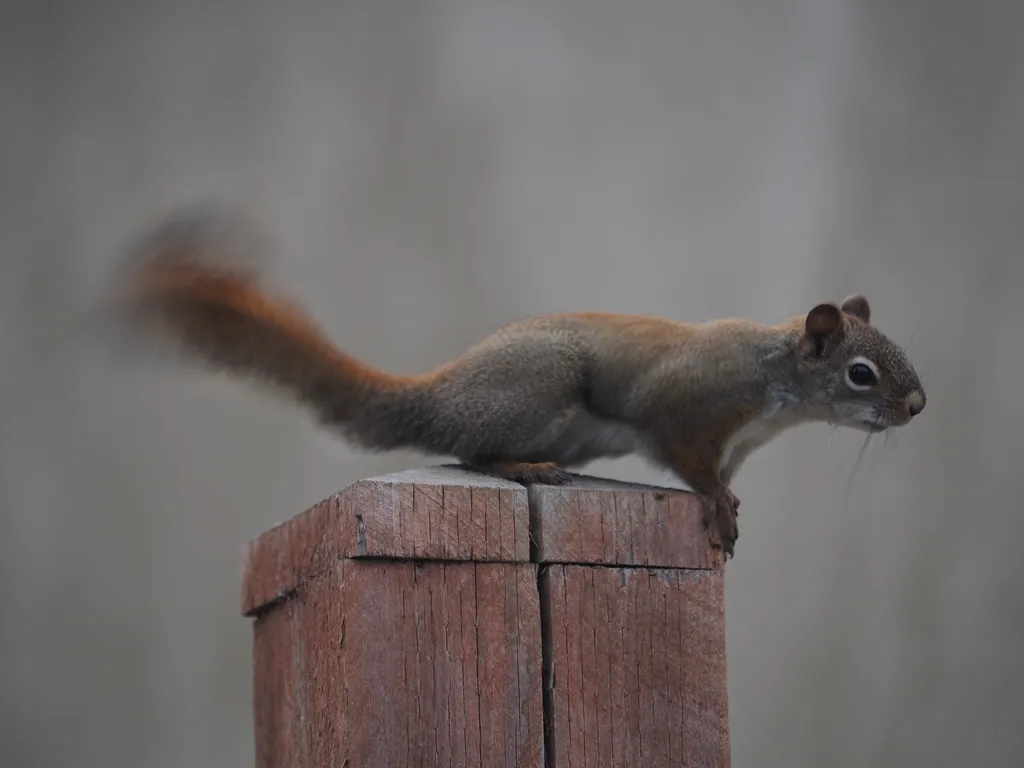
pixel 180 289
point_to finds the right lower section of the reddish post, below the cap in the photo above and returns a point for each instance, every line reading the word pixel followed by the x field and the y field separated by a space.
pixel 653 692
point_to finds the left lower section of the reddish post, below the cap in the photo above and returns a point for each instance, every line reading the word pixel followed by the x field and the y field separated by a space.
pixel 392 664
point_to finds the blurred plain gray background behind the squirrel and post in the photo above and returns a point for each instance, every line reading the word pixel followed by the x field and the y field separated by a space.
pixel 432 169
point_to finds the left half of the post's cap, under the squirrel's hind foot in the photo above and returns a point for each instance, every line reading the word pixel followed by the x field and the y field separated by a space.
pixel 441 514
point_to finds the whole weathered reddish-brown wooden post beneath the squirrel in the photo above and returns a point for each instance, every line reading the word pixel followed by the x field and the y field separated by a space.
pixel 440 617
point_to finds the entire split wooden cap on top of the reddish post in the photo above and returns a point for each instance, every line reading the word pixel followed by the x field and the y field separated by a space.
pixel 450 514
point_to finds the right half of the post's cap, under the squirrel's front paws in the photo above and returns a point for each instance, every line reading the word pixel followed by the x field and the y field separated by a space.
pixel 607 523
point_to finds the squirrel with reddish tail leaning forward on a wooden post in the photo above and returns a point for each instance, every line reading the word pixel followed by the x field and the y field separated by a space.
pixel 543 395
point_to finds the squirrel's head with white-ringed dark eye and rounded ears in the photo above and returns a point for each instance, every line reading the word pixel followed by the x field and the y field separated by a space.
pixel 852 374
